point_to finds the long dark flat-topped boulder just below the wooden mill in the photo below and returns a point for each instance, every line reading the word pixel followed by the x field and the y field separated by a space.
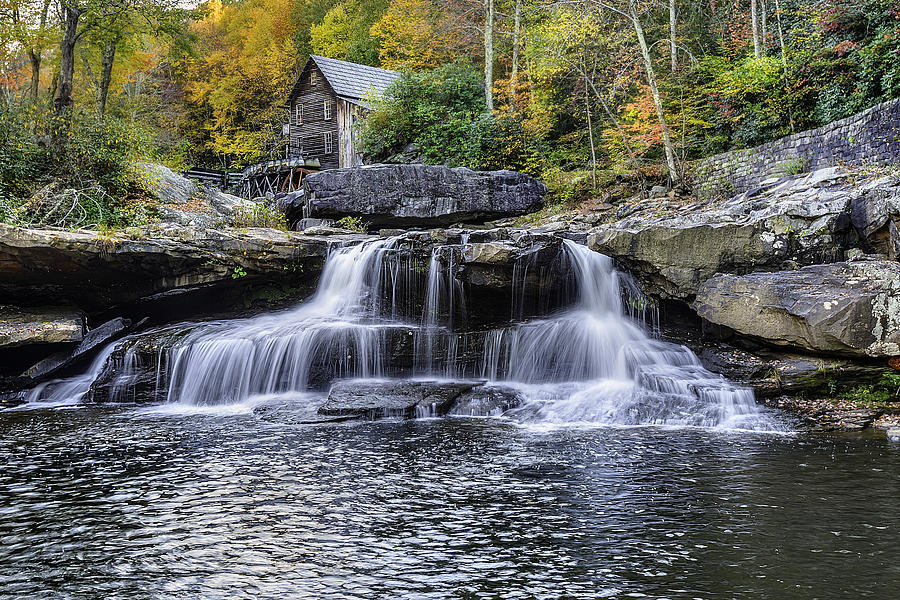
pixel 415 195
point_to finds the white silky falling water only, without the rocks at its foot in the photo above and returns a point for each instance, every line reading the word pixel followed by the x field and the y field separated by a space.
pixel 589 363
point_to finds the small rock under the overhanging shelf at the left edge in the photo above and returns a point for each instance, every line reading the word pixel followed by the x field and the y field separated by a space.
pixel 43 325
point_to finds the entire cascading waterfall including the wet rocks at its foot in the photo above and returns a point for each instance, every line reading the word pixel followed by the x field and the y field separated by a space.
pixel 370 320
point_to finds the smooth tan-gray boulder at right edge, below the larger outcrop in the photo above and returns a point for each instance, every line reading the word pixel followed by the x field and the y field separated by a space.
pixel 850 308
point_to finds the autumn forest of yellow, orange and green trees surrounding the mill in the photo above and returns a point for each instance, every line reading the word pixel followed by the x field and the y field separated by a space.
pixel 577 92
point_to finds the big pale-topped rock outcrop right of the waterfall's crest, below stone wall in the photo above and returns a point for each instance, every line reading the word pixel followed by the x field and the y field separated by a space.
pixel 787 223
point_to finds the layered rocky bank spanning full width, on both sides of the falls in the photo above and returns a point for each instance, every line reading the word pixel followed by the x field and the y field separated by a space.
pixel 792 289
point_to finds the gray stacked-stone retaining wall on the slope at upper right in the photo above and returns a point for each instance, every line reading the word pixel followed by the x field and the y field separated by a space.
pixel 871 137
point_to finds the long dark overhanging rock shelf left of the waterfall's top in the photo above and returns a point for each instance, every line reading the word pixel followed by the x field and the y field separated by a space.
pixel 95 271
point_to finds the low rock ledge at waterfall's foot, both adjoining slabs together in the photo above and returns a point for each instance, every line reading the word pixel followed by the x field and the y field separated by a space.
pixel 406 399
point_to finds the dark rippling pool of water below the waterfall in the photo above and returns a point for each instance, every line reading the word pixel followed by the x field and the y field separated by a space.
pixel 251 502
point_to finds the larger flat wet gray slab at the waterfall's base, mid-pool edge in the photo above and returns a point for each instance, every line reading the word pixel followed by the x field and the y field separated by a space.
pixel 378 399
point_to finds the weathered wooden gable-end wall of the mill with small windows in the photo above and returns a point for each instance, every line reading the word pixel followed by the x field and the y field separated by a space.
pixel 307 139
